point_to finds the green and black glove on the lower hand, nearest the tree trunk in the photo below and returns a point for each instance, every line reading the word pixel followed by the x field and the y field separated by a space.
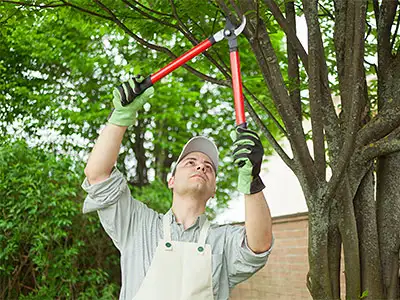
pixel 248 156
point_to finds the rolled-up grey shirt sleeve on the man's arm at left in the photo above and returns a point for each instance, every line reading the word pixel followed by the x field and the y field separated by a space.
pixel 120 214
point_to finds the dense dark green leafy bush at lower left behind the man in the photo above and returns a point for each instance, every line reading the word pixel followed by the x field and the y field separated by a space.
pixel 48 248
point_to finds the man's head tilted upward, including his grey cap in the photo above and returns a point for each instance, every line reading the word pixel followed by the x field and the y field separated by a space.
pixel 194 174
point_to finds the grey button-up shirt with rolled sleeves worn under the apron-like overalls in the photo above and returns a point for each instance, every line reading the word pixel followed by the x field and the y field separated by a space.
pixel 136 230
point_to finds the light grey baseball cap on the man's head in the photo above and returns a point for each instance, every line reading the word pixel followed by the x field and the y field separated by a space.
pixel 203 145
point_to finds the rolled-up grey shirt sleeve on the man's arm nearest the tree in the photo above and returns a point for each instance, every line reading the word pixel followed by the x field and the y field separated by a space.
pixel 242 262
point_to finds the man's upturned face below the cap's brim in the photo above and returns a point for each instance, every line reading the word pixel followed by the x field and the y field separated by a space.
pixel 194 175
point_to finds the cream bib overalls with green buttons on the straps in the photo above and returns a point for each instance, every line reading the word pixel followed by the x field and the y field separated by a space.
pixel 179 270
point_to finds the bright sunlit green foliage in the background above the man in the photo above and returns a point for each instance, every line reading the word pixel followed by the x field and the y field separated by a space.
pixel 60 66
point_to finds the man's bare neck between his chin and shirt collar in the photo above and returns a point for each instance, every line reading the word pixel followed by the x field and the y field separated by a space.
pixel 187 211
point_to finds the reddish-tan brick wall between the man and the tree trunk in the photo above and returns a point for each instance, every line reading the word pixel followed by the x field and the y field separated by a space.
pixel 284 276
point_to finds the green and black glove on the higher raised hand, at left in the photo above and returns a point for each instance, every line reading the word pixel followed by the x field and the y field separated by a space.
pixel 126 115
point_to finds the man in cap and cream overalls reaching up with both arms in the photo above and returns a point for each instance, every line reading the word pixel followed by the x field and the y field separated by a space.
pixel 178 256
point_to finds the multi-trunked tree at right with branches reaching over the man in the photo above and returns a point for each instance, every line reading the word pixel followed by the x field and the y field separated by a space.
pixel 358 140
